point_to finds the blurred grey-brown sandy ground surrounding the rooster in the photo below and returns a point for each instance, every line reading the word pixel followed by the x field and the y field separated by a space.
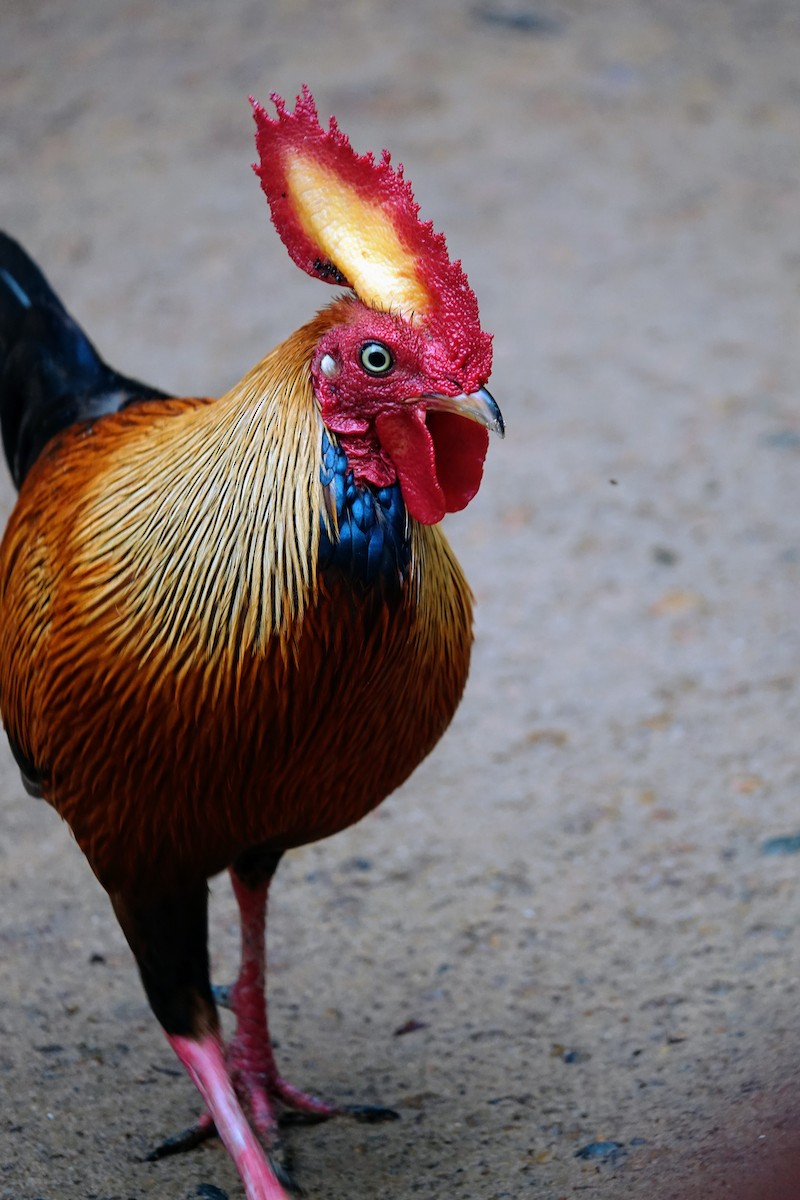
pixel 573 909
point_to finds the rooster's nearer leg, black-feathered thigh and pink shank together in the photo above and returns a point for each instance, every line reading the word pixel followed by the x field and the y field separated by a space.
pixel 170 940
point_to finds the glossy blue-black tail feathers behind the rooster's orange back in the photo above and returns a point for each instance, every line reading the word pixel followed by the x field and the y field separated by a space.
pixel 51 375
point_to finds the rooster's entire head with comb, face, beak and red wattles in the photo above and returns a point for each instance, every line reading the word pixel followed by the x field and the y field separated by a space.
pixel 401 375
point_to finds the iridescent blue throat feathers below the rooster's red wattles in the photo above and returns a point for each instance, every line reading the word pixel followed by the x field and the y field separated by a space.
pixel 372 542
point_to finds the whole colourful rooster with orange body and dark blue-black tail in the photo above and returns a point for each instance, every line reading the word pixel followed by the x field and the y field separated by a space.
pixel 232 627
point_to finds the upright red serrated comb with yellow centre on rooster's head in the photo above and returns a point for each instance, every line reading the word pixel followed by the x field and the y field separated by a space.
pixel 351 220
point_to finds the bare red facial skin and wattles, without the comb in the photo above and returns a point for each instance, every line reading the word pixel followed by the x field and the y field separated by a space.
pixel 384 422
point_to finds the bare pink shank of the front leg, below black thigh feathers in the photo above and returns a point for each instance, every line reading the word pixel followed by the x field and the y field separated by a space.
pixel 206 1065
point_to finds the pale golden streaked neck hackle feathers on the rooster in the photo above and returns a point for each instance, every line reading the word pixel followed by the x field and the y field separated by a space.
pixel 210 514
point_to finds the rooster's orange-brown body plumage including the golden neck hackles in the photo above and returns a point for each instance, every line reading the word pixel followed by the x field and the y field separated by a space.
pixel 173 662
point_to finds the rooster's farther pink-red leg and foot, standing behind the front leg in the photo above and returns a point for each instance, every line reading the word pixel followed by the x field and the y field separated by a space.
pixel 250 1054
